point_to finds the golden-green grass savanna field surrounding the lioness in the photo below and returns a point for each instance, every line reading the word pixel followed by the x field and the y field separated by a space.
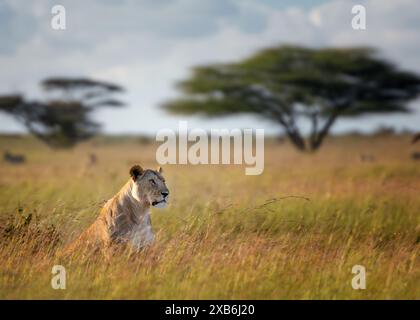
pixel 294 232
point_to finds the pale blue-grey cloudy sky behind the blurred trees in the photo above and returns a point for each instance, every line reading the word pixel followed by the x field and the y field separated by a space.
pixel 147 45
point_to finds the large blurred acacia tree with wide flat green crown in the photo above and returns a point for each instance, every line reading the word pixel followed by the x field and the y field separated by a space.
pixel 286 84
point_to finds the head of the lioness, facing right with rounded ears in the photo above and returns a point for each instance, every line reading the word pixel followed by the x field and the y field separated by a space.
pixel 149 186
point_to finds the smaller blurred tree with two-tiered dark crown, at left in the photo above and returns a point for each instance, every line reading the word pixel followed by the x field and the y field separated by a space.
pixel 64 118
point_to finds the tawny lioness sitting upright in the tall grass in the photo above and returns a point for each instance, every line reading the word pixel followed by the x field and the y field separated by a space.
pixel 125 218
